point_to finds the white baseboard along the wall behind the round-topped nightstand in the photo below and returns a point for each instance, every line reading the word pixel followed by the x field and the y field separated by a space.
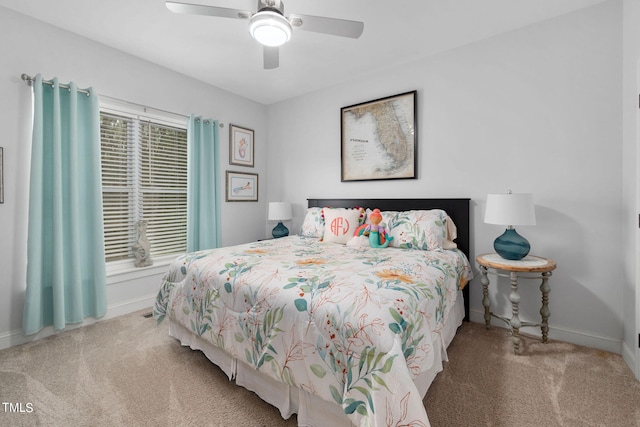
pixel 560 334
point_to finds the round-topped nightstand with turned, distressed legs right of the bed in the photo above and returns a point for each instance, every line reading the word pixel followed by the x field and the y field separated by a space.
pixel 530 267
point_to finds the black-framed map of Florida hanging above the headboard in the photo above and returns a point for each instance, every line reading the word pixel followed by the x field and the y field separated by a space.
pixel 379 139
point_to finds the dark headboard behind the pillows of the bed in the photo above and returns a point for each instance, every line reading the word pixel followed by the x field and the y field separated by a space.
pixel 458 210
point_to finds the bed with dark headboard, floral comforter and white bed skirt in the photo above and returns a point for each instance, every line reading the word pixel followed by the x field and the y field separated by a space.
pixel 339 335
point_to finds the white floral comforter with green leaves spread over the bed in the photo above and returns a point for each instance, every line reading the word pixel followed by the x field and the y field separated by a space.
pixel 353 326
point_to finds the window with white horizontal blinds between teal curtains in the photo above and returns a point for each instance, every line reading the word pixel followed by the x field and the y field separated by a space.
pixel 144 177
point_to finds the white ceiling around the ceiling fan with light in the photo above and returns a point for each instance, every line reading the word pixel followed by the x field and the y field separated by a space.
pixel 220 51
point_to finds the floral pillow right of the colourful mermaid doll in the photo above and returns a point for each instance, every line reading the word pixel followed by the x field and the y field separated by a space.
pixel 420 229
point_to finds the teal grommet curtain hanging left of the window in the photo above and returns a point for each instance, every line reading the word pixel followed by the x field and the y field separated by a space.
pixel 66 272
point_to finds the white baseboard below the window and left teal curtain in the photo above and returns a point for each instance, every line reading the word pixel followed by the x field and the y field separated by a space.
pixel 13 338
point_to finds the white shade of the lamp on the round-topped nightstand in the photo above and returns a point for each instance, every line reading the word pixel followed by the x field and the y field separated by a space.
pixel 510 209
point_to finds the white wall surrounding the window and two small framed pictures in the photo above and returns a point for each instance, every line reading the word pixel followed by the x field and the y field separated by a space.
pixel 29 46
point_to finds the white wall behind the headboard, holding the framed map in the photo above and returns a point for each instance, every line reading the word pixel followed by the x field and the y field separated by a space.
pixel 534 110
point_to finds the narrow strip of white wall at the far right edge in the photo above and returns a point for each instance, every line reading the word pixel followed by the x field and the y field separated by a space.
pixel 631 195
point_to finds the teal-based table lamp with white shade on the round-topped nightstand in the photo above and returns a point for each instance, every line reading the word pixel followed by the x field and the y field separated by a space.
pixel 510 209
